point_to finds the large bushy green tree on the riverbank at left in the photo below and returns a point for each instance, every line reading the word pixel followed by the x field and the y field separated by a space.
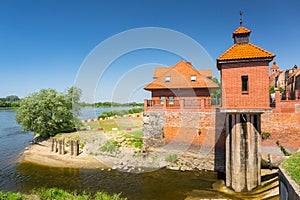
pixel 48 112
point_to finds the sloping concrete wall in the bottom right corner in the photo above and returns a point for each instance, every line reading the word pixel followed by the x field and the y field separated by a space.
pixel 288 188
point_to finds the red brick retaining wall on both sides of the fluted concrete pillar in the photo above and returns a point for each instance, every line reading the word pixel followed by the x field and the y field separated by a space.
pixel 183 128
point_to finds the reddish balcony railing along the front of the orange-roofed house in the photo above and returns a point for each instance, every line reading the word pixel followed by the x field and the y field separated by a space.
pixel 202 105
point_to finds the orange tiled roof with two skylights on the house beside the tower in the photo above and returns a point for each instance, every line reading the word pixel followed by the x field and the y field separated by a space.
pixel 180 77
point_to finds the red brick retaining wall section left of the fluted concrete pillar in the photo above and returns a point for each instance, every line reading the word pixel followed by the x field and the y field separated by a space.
pixel 183 128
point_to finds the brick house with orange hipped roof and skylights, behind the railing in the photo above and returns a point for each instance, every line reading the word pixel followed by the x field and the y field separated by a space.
pixel 180 87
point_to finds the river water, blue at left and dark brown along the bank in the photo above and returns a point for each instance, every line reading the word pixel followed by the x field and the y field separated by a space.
pixel 15 176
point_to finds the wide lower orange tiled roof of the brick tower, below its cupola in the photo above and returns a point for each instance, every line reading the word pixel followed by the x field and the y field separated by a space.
pixel 244 51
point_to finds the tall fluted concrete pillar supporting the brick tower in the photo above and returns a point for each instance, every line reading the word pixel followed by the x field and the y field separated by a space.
pixel 242 152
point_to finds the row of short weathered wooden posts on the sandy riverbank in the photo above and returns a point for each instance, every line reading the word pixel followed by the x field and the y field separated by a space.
pixel 59 146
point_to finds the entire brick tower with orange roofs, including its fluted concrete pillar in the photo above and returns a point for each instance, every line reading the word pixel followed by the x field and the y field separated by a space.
pixel 244 71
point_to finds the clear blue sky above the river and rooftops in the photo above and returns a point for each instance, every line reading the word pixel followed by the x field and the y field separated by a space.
pixel 44 43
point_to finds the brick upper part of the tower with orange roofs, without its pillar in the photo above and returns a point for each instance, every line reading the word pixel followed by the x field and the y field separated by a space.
pixel 244 73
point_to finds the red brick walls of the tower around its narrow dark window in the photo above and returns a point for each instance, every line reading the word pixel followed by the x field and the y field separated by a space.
pixel 258 85
